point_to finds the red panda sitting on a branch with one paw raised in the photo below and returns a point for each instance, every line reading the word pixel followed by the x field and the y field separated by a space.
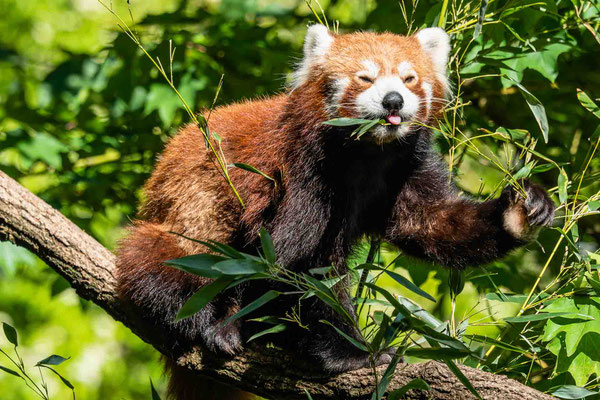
pixel 332 190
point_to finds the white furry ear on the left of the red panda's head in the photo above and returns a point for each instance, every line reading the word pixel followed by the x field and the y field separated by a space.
pixel 317 42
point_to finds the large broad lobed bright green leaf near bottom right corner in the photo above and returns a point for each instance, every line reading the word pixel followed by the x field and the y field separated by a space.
pixel 574 343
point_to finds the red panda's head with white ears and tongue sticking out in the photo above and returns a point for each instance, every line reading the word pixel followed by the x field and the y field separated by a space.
pixel 401 79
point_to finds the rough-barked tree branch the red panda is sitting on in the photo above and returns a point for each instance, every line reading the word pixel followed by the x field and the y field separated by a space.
pixel 28 221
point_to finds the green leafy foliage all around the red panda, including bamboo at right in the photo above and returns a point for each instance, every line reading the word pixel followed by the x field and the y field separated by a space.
pixel 83 115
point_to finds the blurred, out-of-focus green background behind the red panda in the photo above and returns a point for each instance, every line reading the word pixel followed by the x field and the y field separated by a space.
pixel 83 115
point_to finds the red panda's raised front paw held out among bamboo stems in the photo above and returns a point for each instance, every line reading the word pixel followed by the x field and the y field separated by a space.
pixel 523 216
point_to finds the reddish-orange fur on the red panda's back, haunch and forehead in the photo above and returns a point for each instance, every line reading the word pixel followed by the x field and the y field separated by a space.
pixel 187 194
